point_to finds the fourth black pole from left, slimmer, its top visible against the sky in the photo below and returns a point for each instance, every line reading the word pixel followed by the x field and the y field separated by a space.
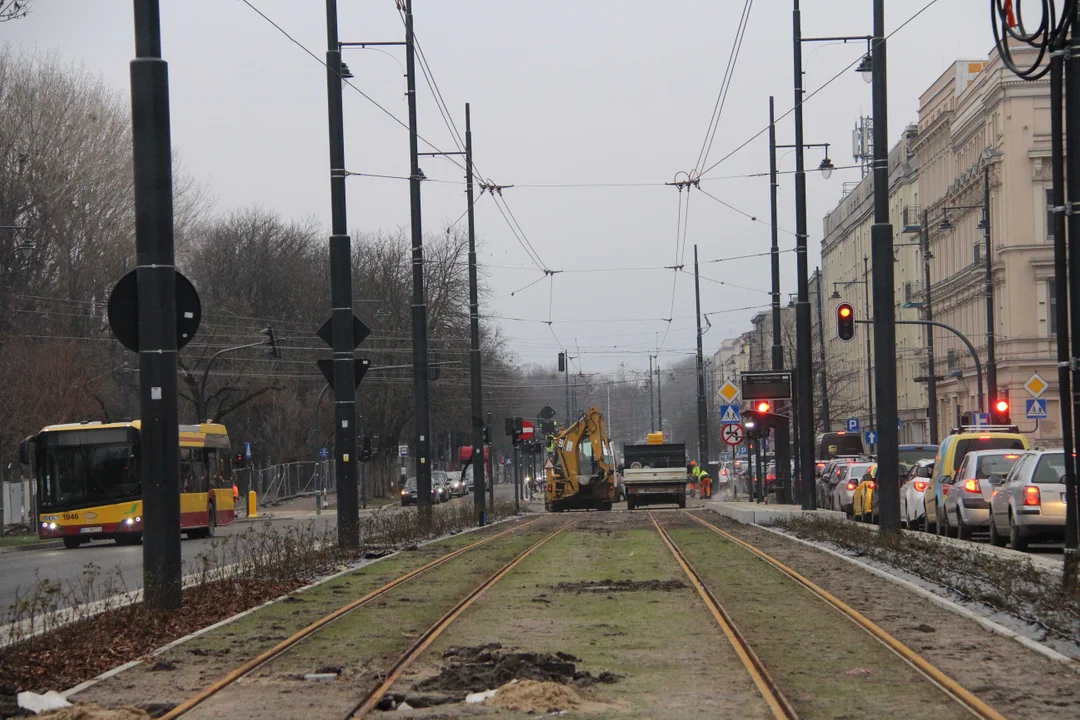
pixel 475 357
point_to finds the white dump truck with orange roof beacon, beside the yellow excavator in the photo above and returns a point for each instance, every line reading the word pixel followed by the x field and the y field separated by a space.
pixel 655 473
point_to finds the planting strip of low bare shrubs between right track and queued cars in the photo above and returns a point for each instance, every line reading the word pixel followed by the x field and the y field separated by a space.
pixel 1014 587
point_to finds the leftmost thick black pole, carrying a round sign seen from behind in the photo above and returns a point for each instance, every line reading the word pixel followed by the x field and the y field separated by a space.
pixel 157 319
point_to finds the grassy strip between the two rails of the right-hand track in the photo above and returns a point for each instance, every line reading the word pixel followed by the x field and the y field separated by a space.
pixel 834 670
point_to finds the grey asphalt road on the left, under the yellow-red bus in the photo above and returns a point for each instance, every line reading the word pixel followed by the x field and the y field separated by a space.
pixel 23 570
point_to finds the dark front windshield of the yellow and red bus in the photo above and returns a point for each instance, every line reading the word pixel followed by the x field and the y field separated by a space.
pixel 85 468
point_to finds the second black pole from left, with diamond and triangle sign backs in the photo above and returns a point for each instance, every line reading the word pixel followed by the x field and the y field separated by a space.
pixel 345 388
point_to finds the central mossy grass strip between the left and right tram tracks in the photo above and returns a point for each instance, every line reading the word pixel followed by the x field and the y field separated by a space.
pixel 573 596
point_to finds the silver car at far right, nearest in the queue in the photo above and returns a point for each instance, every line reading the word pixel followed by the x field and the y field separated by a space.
pixel 1031 504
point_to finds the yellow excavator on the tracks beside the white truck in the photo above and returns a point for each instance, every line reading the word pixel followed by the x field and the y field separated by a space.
pixel 583 477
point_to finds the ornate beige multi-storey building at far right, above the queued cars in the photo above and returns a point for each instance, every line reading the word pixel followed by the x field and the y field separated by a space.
pixel 980 116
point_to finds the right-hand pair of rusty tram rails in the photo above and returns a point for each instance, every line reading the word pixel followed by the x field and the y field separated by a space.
pixel 950 687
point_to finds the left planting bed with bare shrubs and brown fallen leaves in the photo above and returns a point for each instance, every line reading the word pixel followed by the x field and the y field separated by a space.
pixel 56 631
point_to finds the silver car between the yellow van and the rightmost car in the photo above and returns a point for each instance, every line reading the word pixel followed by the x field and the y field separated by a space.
pixel 967 506
